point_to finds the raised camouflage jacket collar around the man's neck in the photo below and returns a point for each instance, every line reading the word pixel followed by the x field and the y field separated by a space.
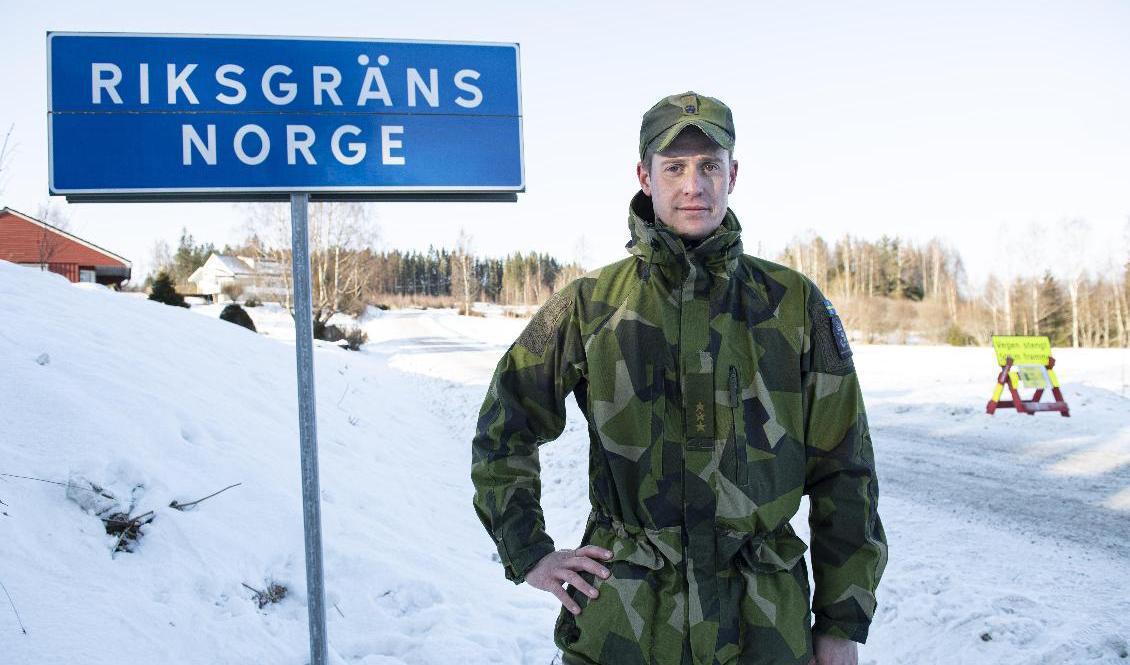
pixel 655 243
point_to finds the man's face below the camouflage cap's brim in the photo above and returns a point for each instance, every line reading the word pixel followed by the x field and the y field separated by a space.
pixel 690 184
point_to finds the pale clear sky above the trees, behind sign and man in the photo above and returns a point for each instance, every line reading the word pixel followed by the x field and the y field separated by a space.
pixel 969 122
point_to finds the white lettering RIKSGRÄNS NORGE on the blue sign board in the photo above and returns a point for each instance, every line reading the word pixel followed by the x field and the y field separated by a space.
pixel 281 87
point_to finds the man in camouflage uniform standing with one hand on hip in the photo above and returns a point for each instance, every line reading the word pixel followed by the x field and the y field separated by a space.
pixel 719 388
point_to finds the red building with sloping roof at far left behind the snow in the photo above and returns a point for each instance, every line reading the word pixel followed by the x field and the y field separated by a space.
pixel 28 241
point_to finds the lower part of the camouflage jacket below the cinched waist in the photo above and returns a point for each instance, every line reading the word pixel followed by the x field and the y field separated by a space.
pixel 749 604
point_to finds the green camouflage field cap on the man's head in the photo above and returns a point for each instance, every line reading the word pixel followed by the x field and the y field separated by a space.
pixel 671 116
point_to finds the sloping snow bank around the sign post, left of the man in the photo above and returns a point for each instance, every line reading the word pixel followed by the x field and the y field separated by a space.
pixel 137 394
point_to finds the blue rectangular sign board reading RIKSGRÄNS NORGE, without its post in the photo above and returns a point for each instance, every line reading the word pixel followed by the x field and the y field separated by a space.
pixel 186 115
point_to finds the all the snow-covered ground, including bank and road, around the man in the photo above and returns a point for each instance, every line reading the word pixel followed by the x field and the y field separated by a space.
pixel 1010 536
